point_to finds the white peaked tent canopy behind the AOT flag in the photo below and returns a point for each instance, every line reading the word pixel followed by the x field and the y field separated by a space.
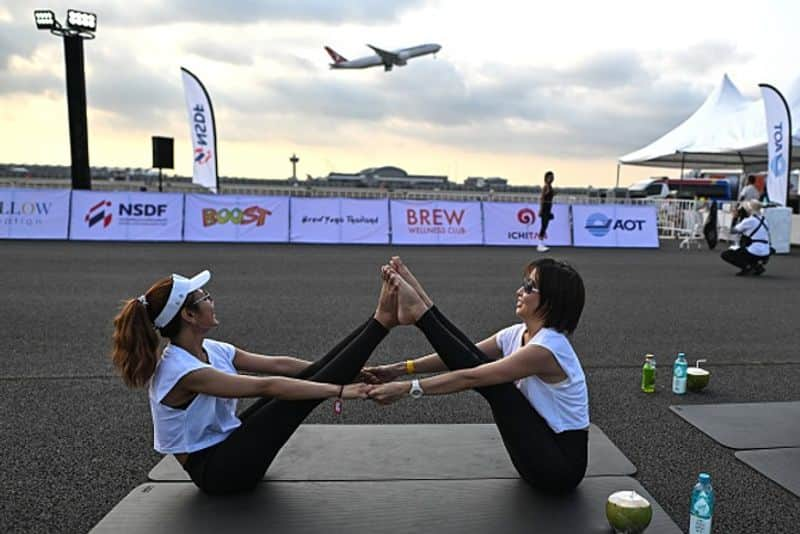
pixel 727 132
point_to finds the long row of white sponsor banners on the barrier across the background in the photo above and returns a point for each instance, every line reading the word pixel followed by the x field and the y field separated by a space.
pixel 136 216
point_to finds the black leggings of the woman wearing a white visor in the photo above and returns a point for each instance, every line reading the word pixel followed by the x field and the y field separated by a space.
pixel 240 461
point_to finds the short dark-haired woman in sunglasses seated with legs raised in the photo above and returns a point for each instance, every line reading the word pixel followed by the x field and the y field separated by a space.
pixel 528 372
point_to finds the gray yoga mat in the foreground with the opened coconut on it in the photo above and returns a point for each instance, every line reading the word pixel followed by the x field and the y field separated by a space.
pixel 442 506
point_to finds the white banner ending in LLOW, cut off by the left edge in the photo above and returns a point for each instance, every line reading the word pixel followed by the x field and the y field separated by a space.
pixel 34 214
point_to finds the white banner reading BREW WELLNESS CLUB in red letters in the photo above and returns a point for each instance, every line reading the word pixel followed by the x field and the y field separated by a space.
pixel 424 222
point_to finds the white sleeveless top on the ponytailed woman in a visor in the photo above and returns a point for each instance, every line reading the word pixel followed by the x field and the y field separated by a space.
pixel 207 420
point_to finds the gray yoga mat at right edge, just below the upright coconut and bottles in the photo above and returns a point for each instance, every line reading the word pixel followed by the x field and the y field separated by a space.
pixel 759 425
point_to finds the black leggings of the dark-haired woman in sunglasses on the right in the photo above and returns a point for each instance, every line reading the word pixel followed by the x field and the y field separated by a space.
pixel 551 462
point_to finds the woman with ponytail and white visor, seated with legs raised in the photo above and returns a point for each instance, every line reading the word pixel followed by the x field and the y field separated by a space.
pixel 193 385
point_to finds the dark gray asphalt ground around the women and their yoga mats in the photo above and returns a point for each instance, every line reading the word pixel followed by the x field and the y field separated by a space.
pixel 75 441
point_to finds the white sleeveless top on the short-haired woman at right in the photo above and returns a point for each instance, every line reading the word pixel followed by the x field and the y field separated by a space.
pixel 564 405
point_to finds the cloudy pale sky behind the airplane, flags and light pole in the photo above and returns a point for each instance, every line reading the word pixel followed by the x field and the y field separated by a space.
pixel 518 87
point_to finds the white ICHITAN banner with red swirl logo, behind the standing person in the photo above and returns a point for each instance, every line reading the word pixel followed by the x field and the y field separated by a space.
pixel 507 223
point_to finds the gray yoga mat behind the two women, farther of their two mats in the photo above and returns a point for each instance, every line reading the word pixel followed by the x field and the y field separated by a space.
pixel 403 452
